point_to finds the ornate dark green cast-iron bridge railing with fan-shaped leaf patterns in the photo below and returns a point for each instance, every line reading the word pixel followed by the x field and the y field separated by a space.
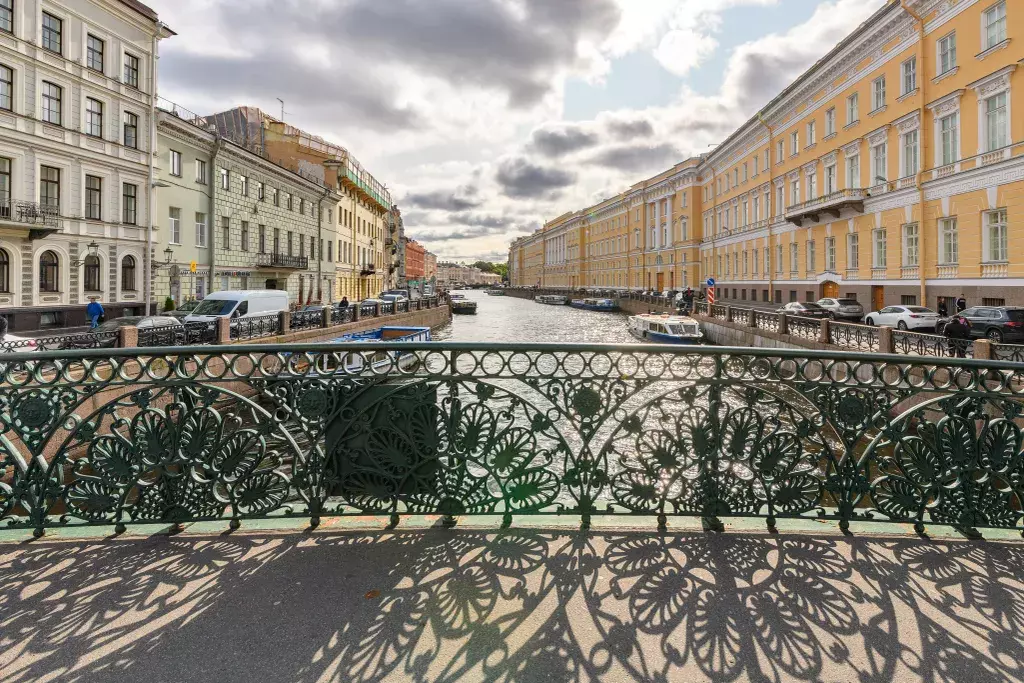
pixel 187 435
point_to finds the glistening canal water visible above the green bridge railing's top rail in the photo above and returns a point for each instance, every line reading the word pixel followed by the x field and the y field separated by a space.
pixel 511 320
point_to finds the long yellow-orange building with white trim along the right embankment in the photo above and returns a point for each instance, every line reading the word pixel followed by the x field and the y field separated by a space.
pixel 891 172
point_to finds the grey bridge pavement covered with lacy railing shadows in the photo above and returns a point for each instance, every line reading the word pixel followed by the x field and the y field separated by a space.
pixel 521 606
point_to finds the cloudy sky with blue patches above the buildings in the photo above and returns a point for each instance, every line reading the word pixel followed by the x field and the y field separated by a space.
pixel 487 118
